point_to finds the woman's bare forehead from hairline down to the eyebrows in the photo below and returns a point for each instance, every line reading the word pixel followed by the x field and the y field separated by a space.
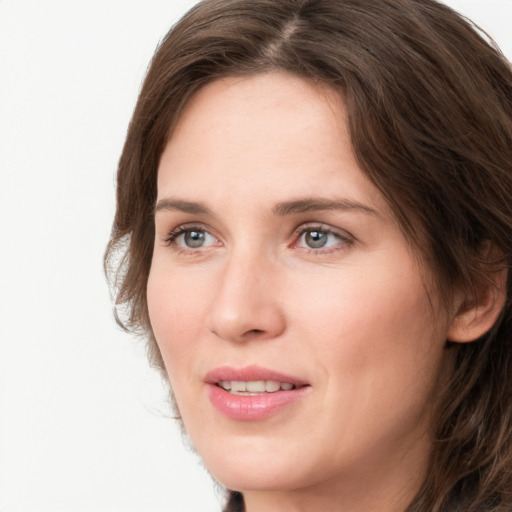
pixel 277 132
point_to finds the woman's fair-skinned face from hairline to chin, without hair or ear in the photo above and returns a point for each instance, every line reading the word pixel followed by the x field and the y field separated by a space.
pixel 277 264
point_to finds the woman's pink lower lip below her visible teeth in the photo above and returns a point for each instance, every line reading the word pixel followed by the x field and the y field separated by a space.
pixel 255 407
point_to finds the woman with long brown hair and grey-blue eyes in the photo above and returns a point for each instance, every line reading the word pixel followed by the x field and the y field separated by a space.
pixel 314 207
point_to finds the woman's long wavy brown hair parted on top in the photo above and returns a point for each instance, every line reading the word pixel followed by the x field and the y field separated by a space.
pixel 429 104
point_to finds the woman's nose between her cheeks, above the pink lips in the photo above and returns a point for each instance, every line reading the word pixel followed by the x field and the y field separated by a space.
pixel 246 305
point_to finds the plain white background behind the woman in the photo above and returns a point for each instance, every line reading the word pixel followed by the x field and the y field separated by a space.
pixel 83 423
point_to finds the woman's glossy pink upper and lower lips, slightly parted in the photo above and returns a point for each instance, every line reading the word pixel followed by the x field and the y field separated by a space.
pixel 256 407
